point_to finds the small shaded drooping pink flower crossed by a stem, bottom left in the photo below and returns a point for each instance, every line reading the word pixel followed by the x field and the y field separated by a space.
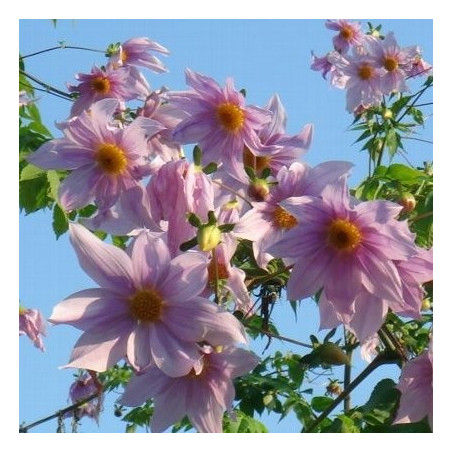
pixel 85 387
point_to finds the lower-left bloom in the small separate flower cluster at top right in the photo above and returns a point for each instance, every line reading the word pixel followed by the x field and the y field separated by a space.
pixel 363 82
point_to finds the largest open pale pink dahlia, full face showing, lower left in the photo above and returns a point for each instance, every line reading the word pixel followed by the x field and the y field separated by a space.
pixel 147 308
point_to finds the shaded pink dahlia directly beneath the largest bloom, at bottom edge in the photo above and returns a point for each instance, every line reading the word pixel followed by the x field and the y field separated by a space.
pixel 203 395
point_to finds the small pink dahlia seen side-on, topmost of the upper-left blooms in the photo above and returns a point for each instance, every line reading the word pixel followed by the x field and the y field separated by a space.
pixel 137 52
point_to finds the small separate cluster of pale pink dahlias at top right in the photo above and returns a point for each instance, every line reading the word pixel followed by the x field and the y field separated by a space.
pixel 368 66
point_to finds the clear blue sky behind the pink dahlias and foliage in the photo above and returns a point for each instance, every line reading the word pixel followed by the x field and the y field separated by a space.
pixel 263 56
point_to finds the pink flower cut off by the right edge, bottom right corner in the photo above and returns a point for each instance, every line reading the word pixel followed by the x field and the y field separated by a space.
pixel 416 387
